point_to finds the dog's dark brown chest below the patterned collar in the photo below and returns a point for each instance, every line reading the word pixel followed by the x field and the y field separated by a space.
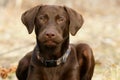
pixel 67 71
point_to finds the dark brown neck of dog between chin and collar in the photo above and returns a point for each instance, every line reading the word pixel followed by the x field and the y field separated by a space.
pixel 53 52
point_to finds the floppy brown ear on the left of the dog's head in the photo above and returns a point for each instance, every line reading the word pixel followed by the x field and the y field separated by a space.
pixel 28 18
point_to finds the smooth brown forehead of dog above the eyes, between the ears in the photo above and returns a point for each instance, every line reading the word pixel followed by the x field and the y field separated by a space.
pixel 52 9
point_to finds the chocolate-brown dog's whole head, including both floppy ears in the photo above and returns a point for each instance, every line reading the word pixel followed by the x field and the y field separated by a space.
pixel 52 23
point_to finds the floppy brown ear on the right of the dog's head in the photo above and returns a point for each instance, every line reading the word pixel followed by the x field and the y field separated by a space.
pixel 76 20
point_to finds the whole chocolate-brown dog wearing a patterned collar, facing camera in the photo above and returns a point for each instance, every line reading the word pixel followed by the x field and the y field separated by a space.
pixel 53 57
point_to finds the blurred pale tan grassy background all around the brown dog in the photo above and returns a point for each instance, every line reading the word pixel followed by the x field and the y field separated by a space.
pixel 101 30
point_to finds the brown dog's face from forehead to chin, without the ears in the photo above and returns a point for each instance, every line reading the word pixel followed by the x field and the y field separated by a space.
pixel 52 25
